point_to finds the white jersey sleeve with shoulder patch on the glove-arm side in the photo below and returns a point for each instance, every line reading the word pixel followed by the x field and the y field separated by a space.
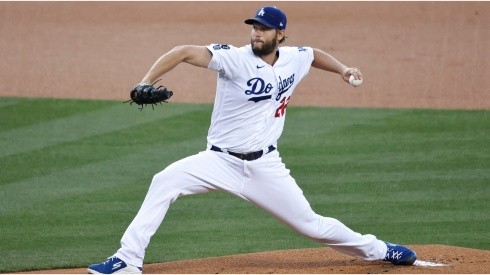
pixel 225 59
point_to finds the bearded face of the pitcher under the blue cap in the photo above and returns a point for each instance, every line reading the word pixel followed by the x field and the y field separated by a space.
pixel 263 39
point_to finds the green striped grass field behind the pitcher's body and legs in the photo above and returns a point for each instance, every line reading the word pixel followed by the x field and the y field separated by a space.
pixel 74 173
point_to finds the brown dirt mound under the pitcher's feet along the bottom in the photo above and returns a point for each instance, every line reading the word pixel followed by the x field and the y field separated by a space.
pixel 447 260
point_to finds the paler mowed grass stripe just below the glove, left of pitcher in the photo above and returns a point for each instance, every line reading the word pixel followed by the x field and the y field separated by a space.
pixel 57 130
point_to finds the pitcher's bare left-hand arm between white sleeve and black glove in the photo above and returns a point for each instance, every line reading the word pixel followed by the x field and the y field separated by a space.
pixel 198 56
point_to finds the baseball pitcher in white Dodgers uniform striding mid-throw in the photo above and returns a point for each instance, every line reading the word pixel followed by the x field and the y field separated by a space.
pixel 255 84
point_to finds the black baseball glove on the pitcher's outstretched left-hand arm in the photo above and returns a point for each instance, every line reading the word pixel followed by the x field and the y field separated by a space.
pixel 144 94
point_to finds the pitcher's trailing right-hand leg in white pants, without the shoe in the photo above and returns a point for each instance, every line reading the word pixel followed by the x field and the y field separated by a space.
pixel 272 188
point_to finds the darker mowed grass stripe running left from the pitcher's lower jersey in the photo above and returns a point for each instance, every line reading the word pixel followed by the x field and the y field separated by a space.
pixel 158 134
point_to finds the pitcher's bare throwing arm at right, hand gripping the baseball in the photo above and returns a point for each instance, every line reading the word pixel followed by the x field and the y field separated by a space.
pixel 326 62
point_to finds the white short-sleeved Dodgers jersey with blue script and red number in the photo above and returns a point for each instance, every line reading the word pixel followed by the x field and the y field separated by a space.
pixel 252 96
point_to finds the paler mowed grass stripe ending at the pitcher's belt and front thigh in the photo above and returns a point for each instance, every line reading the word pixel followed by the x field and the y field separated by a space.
pixel 136 168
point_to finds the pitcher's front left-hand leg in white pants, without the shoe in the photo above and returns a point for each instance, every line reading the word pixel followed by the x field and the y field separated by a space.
pixel 196 174
